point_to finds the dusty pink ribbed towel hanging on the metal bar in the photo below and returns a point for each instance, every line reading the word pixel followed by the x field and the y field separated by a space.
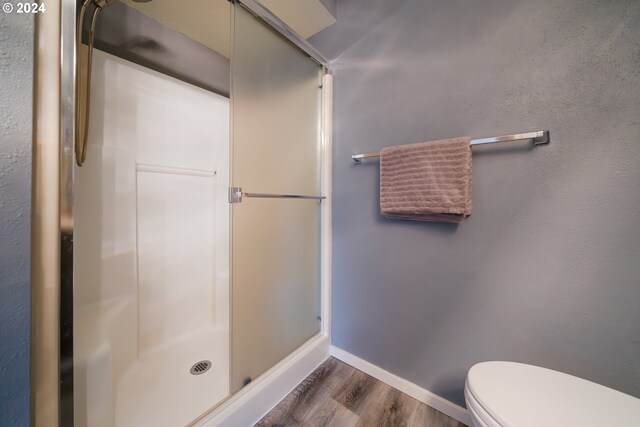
pixel 428 181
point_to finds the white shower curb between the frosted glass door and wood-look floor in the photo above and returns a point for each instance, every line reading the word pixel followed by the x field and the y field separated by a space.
pixel 249 405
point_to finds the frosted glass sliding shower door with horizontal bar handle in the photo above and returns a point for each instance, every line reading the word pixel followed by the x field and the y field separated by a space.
pixel 276 158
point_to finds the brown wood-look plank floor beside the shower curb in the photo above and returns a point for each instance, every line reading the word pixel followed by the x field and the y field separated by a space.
pixel 337 394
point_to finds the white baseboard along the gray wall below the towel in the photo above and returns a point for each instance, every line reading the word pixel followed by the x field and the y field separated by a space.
pixel 407 387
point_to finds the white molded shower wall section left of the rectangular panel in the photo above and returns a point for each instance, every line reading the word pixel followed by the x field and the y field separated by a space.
pixel 105 226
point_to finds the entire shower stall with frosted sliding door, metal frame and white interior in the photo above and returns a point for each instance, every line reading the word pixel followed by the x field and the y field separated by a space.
pixel 191 257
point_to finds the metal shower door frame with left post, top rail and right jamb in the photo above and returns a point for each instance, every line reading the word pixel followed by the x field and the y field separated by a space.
pixel 52 363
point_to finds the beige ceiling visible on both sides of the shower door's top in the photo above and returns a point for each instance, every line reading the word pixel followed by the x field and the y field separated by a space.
pixel 209 23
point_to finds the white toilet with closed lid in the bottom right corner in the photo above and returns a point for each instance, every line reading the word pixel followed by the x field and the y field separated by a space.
pixel 508 394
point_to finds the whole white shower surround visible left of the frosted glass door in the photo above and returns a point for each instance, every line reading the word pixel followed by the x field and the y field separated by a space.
pixel 151 258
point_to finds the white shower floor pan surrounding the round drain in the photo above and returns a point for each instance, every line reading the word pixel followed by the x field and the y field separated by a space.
pixel 159 390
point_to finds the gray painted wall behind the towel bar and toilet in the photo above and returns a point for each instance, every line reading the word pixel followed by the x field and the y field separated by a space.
pixel 547 269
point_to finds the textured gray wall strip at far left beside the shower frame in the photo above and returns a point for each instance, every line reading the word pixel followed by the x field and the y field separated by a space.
pixel 16 65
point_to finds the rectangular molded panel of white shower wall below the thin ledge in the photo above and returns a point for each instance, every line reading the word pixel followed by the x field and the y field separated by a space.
pixel 176 262
